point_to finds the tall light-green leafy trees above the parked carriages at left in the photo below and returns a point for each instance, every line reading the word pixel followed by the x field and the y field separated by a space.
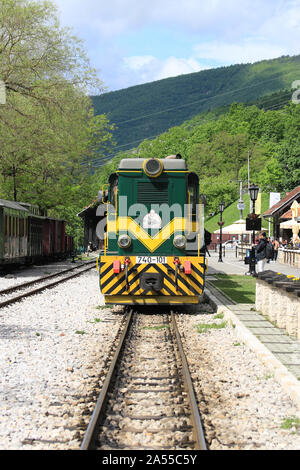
pixel 47 126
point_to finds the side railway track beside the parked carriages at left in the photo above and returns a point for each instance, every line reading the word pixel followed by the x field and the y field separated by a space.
pixel 25 285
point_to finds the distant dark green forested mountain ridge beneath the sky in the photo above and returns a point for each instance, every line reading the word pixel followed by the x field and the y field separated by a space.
pixel 147 110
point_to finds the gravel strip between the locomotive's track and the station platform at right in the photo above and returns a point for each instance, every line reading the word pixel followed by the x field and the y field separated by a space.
pixel 242 405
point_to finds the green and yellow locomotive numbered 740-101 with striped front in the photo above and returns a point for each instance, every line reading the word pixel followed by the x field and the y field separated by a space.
pixel 154 249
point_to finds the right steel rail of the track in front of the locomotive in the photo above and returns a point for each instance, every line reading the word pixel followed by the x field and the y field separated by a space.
pixel 198 432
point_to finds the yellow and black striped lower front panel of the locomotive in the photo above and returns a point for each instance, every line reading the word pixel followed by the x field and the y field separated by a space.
pixel 187 289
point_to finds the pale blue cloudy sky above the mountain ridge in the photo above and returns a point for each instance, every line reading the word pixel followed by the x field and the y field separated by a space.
pixel 131 42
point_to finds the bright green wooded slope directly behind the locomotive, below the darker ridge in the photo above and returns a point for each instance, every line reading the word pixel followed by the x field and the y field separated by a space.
pixel 217 149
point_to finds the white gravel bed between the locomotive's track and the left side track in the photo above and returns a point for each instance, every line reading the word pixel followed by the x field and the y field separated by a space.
pixel 52 349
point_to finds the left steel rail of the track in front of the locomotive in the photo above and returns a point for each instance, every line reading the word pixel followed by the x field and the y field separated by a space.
pixel 91 434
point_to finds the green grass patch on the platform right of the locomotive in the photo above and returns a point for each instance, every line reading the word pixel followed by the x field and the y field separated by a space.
pixel 239 288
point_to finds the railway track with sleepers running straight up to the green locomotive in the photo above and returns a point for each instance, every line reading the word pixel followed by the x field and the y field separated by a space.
pixel 147 400
